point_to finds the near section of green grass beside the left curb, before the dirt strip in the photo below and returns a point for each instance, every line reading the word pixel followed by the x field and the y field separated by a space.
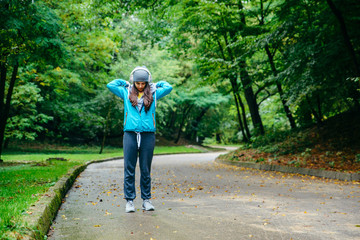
pixel 21 186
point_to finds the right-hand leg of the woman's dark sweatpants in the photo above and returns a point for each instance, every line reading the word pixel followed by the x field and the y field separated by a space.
pixel 145 159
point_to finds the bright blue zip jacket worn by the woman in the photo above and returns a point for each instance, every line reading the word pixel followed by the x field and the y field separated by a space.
pixel 134 119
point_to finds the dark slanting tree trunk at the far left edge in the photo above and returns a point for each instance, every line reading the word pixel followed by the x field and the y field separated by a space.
pixel 4 114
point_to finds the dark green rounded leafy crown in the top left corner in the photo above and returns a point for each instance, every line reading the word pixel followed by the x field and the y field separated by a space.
pixel 29 32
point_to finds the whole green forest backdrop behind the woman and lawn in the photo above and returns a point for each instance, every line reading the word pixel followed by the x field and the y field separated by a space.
pixel 242 71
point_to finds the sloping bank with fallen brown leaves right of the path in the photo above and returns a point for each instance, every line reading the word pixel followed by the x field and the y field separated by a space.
pixel 334 146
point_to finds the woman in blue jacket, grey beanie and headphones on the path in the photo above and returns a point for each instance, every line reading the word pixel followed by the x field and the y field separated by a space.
pixel 139 97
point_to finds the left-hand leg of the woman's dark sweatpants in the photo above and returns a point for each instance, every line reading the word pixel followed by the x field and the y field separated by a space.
pixel 130 159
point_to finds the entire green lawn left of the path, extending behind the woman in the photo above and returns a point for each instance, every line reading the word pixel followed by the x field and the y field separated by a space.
pixel 26 174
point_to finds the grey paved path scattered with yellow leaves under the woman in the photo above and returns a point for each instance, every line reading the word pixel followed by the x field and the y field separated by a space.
pixel 196 198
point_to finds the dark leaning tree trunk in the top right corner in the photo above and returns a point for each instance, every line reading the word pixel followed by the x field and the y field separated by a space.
pixel 345 35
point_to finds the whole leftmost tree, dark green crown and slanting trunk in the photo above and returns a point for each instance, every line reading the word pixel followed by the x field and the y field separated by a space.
pixel 29 33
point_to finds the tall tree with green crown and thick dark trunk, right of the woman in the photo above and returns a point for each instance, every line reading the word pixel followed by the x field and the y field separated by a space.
pixel 215 29
